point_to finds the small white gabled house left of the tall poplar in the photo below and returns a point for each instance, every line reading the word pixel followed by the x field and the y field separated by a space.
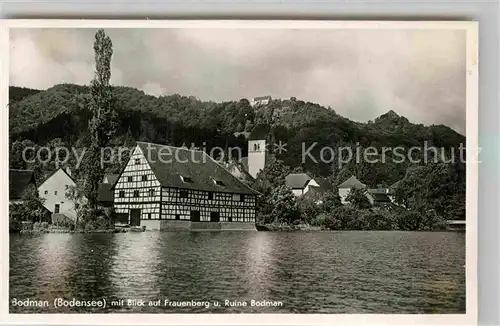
pixel 54 189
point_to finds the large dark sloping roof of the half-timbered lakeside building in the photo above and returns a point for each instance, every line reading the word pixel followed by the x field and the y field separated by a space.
pixel 170 163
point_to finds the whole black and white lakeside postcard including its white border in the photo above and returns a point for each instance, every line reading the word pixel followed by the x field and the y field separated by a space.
pixel 241 168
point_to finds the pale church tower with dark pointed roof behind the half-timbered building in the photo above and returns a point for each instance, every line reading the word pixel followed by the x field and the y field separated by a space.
pixel 257 153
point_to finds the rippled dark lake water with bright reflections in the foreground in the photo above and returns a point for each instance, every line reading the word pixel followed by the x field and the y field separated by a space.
pixel 308 272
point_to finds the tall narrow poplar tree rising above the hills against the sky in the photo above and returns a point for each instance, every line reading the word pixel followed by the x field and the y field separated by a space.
pixel 103 123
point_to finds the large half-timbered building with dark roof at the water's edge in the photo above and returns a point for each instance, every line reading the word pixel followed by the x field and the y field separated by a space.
pixel 170 188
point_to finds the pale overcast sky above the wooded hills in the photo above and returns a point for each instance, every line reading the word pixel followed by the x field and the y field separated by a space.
pixel 419 74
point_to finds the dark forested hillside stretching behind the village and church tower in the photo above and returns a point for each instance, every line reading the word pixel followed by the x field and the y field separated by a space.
pixel 60 115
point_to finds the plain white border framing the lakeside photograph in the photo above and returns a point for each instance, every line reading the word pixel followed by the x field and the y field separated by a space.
pixel 469 318
